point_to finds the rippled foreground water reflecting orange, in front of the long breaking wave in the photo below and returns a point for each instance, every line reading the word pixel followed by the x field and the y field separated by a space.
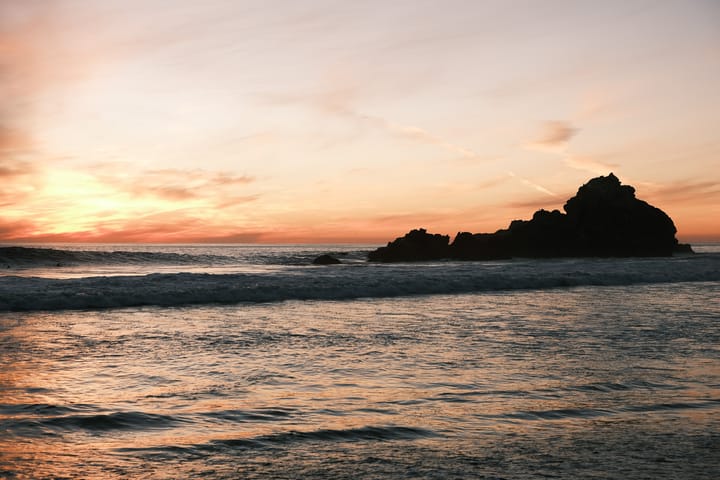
pixel 591 381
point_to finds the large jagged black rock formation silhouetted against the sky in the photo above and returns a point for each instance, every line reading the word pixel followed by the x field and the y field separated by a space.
pixel 604 219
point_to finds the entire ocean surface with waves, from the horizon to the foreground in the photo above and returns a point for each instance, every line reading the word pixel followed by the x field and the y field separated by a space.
pixel 211 361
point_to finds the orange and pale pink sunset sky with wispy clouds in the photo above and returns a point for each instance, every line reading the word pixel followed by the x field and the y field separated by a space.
pixel 223 121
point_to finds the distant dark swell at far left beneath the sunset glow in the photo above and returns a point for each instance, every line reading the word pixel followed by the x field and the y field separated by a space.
pixel 43 257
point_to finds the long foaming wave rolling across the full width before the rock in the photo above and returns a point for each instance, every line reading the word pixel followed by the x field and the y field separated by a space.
pixel 344 282
